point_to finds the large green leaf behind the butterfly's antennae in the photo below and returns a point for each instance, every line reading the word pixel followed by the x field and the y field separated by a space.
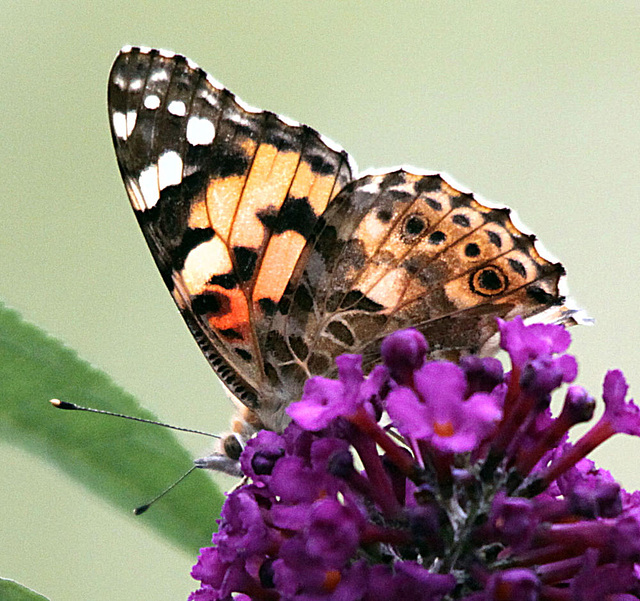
pixel 124 462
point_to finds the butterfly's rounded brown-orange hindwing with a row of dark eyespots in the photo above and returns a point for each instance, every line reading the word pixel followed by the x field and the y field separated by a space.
pixel 404 250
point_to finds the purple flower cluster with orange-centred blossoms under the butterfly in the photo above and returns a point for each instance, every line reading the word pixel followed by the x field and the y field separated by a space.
pixel 431 480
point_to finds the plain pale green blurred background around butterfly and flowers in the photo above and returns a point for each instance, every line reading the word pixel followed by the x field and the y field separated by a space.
pixel 534 105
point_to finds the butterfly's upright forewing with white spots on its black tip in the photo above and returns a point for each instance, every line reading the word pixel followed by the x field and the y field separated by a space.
pixel 226 197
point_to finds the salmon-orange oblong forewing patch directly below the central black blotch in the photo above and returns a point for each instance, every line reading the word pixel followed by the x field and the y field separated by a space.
pixel 280 258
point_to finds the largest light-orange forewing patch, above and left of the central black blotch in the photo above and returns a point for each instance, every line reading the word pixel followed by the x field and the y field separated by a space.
pixel 266 189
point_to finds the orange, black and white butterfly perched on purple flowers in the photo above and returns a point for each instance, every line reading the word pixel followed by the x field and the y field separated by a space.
pixel 280 257
